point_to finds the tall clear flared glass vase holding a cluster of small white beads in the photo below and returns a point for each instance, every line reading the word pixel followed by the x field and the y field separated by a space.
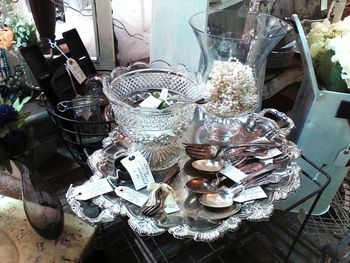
pixel 234 46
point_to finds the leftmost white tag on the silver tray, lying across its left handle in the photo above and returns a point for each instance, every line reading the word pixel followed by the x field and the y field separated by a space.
pixel 92 189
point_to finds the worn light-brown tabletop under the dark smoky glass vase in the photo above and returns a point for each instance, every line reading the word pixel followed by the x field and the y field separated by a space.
pixel 69 247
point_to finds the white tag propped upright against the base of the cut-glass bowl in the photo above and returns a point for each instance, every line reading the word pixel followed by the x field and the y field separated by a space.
pixel 138 169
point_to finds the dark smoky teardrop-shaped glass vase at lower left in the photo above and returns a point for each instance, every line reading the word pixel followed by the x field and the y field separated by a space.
pixel 42 207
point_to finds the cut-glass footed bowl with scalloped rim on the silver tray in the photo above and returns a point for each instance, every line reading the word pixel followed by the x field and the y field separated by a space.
pixel 154 132
